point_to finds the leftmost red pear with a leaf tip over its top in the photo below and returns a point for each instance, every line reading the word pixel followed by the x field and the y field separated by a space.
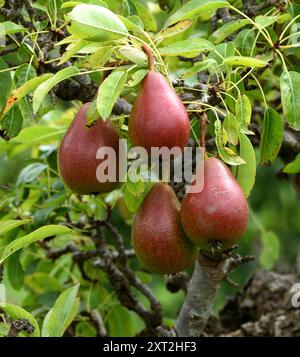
pixel 77 154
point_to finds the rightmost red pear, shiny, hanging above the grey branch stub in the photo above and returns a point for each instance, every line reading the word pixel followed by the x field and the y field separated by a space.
pixel 219 212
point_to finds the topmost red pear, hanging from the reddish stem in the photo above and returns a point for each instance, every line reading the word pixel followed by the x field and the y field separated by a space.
pixel 158 117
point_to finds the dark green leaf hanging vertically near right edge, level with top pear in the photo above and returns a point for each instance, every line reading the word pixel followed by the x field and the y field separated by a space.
pixel 271 136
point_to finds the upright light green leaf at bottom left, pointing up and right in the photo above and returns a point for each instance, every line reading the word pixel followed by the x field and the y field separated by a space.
pixel 62 314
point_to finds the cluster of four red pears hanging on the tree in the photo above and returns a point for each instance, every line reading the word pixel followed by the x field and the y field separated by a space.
pixel 166 235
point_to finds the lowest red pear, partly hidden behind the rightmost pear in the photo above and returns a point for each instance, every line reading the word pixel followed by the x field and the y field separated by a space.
pixel 157 236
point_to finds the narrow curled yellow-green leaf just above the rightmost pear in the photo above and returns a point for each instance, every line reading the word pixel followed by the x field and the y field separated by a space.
pixel 226 154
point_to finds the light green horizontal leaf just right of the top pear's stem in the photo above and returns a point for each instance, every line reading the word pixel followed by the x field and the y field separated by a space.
pixel 188 48
